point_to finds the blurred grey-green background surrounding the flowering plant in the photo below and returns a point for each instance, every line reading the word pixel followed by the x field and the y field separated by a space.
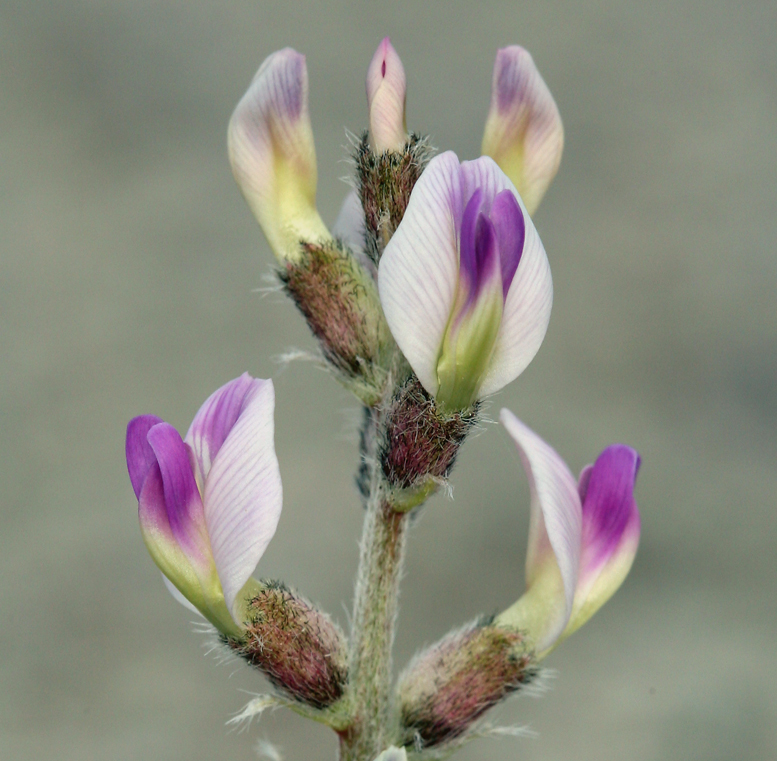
pixel 129 269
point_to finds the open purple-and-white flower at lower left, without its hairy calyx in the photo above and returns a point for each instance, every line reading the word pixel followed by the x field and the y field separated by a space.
pixel 209 504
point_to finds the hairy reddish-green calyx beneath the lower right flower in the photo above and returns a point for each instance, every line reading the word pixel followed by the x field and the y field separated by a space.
pixel 451 685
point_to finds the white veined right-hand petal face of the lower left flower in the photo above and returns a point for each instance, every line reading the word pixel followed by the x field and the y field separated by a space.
pixel 243 493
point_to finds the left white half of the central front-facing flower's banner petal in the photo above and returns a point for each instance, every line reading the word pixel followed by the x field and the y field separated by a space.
pixel 418 271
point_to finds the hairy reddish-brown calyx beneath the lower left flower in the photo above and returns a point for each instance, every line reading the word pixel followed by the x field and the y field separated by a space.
pixel 296 646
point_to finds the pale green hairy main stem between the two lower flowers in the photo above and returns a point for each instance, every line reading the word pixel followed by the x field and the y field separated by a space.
pixel 375 609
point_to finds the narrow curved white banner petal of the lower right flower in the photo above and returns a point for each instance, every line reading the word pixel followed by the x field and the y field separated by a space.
pixel 555 530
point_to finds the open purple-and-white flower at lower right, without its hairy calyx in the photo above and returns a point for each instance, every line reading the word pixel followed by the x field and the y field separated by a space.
pixel 583 536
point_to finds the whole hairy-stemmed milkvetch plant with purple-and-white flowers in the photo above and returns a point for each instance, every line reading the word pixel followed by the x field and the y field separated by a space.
pixel 431 292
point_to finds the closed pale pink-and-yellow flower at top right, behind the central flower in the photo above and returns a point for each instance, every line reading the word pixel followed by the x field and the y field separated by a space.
pixel 523 133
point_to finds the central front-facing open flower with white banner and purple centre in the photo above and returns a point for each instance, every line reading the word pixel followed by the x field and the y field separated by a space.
pixel 464 282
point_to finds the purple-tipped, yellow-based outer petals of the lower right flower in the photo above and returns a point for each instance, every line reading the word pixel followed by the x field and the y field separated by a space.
pixel 611 528
